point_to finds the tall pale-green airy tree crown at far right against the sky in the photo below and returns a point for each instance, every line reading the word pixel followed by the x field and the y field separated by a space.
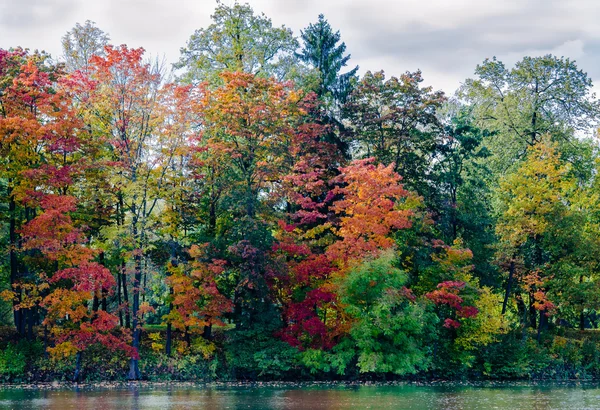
pixel 538 96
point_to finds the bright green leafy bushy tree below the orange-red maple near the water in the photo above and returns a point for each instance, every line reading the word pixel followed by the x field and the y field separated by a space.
pixel 390 329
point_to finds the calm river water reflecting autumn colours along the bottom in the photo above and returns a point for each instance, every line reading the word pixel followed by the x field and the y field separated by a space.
pixel 330 397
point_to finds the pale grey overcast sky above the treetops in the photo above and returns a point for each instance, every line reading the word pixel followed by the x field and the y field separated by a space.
pixel 446 39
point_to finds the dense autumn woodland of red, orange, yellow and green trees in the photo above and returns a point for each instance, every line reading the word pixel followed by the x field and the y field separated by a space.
pixel 258 210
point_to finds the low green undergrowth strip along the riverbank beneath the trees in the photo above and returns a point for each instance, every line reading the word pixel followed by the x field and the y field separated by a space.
pixel 572 363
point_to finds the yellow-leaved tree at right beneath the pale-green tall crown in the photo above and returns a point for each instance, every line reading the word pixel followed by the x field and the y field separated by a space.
pixel 538 224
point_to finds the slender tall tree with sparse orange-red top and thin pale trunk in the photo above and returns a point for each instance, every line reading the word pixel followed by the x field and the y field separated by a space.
pixel 138 117
